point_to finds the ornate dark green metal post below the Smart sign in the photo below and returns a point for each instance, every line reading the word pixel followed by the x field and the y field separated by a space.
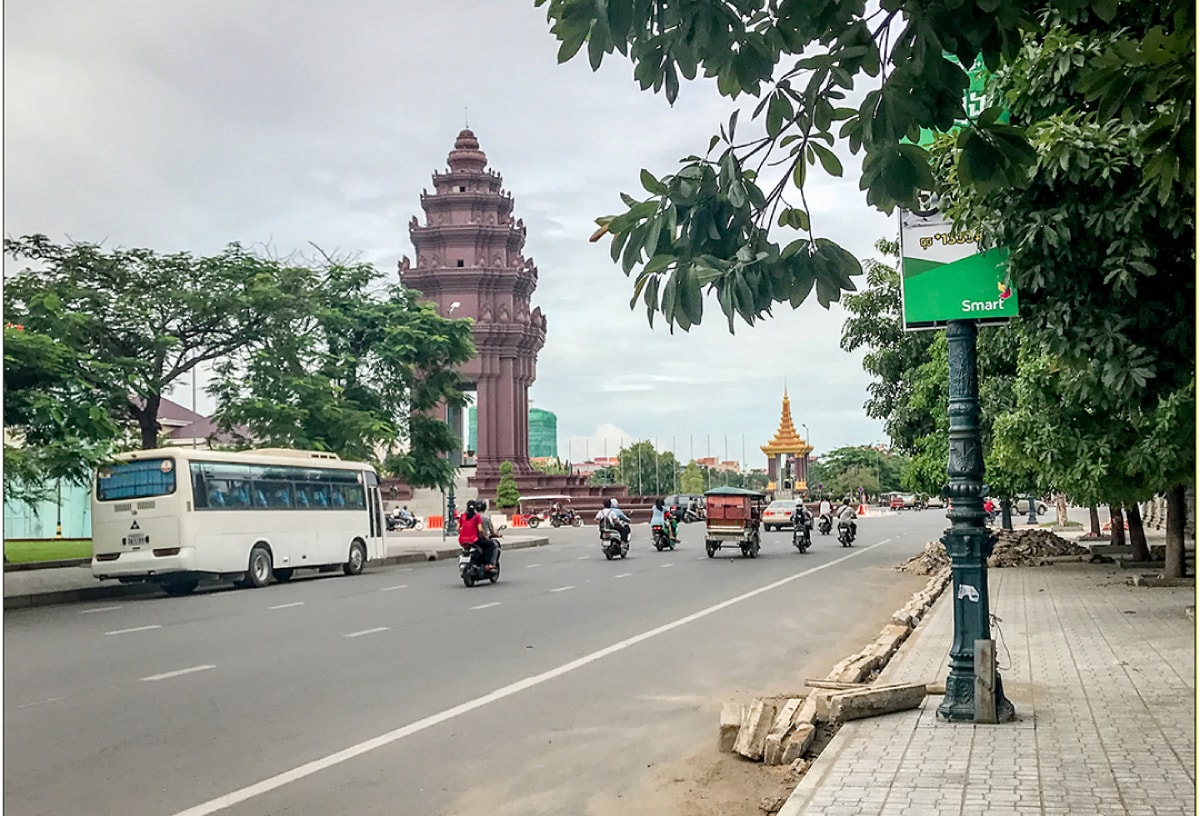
pixel 968 542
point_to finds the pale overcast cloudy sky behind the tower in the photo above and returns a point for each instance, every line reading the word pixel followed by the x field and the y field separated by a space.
pixel 189 125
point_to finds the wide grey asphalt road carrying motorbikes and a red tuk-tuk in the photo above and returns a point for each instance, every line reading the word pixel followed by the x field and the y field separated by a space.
pixel 403 692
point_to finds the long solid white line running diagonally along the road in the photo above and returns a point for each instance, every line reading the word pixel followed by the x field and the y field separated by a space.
pixel 359 749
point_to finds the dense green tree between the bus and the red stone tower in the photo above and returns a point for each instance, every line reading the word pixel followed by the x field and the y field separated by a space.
pixel 361 370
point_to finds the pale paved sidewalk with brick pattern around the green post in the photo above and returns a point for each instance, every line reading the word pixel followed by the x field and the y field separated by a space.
pixel 1103 680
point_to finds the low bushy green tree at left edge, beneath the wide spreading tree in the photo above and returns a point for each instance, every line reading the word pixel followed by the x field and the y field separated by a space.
pixel 56 422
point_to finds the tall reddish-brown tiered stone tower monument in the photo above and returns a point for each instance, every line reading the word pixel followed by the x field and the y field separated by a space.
pixel 470 263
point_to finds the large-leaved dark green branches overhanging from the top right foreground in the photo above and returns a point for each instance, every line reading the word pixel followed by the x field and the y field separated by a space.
pixel 709 225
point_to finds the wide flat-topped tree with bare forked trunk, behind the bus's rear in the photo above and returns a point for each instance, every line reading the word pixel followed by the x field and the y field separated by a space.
pixel 147 319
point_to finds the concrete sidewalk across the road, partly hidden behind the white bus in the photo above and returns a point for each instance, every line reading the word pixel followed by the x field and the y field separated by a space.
pixel 69 585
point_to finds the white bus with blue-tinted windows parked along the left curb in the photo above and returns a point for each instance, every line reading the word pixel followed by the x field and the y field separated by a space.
pixel 175 515
